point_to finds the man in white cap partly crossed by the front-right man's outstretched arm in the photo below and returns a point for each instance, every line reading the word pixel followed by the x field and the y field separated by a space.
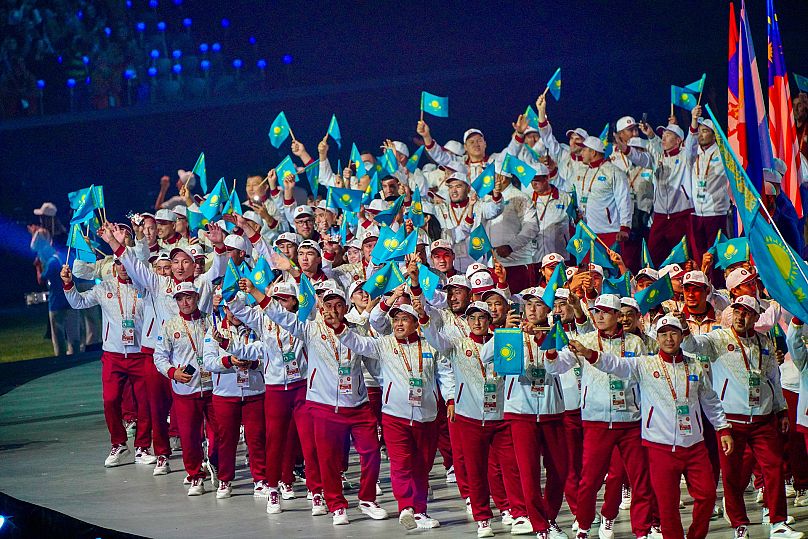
pixel 610 415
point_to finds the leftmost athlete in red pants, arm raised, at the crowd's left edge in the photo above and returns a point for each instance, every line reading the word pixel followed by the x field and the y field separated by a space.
pixel 122 311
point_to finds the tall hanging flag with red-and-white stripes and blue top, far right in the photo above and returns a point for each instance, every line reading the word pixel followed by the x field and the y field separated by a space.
pixel 781 117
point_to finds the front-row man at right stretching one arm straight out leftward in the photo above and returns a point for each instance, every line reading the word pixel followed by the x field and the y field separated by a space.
pixel 674 398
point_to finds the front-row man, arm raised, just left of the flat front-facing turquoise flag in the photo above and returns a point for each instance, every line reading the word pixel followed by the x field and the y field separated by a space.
pixel 478 420
